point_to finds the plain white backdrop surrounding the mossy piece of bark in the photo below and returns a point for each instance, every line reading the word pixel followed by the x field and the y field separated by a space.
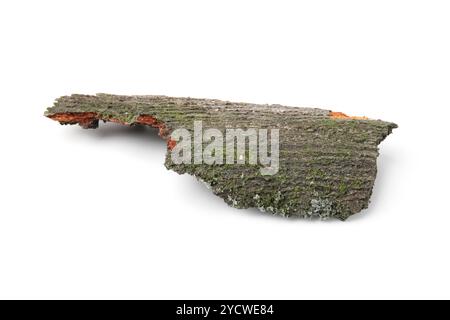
pixel 95 214
